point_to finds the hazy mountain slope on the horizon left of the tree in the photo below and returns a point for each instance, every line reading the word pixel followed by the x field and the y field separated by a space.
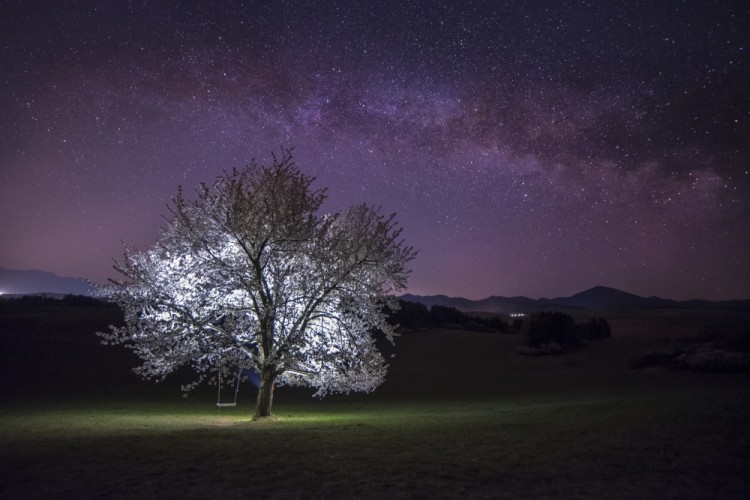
pixel 15 282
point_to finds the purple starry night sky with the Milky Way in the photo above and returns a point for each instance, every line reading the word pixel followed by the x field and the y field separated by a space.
pixel 530 148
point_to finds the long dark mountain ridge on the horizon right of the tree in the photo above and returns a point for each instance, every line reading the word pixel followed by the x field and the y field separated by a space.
pixel 597 298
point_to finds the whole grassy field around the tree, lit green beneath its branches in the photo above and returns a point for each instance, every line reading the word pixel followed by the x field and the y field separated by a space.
pixel 461 415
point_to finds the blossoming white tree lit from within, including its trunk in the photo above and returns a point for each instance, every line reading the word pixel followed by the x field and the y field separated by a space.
pixel 247 275
